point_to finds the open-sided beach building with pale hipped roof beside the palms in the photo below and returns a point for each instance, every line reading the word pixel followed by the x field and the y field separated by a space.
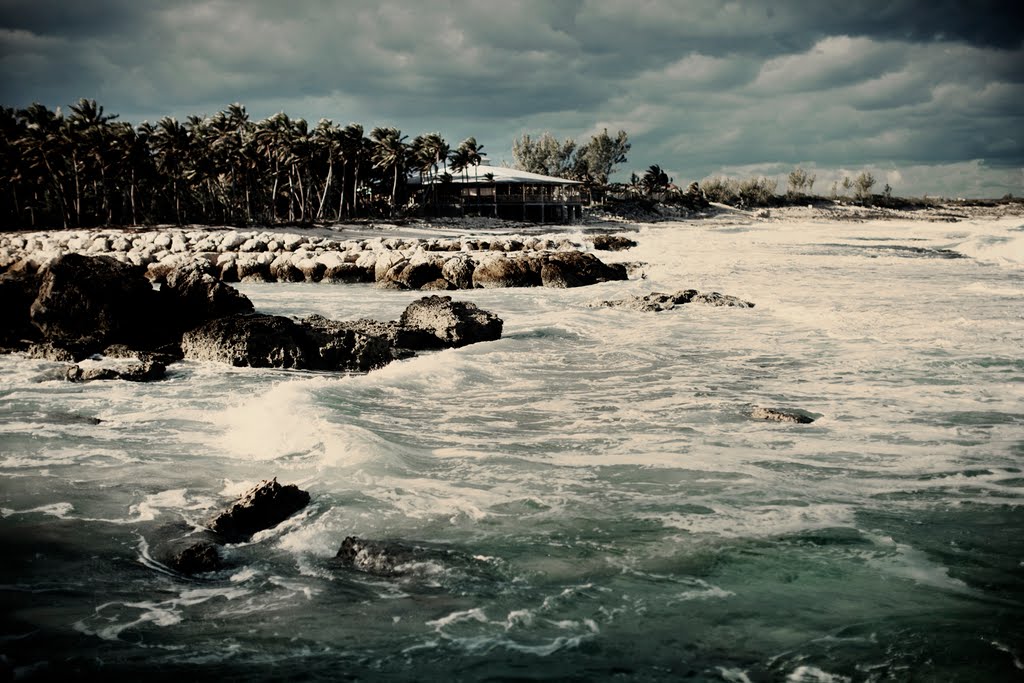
pixel 500 192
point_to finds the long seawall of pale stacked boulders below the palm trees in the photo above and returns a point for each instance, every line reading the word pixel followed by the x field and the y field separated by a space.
pixel 441 264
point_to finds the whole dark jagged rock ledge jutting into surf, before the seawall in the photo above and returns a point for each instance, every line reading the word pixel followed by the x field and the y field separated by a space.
pixel 79 308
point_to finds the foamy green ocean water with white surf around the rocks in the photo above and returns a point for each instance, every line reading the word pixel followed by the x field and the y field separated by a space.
pixel 588 499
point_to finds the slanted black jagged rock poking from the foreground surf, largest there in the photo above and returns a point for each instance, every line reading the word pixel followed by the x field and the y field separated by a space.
pixel 263 507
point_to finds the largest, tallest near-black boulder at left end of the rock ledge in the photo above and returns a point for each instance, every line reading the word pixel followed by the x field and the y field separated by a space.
pixel 93 302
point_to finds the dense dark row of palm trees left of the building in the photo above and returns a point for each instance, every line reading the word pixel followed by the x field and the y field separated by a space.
pixel 89 168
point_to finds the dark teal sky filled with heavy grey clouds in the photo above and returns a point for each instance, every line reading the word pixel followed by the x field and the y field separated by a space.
pixel 929 97
